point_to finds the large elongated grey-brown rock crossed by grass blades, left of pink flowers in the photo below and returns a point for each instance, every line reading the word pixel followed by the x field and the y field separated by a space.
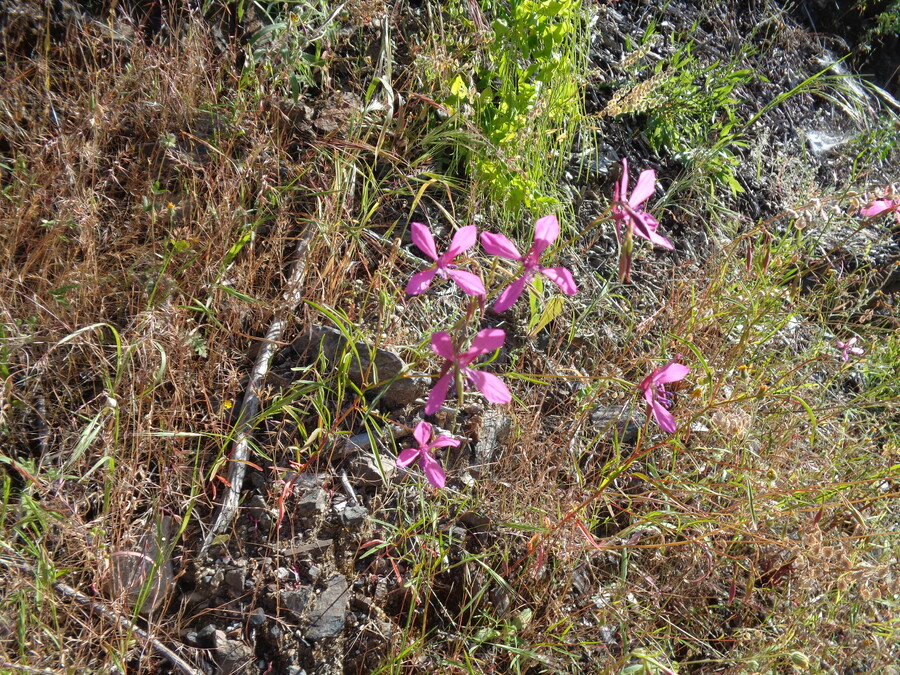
pixel 363 370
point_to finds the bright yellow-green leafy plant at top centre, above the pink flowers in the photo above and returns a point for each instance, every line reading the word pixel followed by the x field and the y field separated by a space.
pixel 525 100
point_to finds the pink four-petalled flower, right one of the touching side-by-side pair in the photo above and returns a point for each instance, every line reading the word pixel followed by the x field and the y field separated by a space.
pixel 546 230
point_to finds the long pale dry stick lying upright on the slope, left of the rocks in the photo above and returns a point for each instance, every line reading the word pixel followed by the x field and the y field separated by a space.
pixel 293 294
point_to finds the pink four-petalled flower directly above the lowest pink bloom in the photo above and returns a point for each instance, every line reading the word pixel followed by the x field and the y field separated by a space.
pixel 488 340
